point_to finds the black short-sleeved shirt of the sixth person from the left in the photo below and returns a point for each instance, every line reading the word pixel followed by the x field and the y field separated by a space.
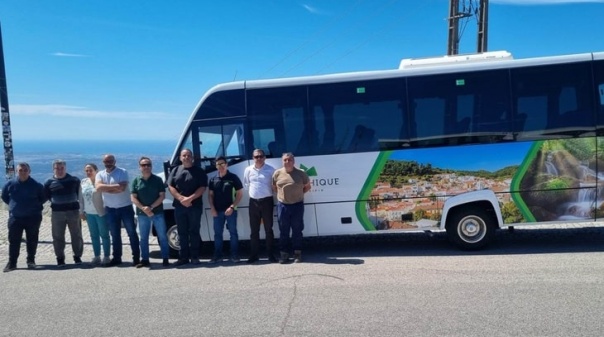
pixel 186 181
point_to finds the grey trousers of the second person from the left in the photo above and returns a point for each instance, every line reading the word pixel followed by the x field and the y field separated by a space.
pixel 70 219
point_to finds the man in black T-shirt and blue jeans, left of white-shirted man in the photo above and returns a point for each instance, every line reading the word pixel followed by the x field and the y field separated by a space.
pixel 225 193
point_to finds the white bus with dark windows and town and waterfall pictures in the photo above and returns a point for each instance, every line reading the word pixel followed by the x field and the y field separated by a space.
pixel 466 147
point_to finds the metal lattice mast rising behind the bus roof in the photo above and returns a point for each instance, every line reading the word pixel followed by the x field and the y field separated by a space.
pixel 463 10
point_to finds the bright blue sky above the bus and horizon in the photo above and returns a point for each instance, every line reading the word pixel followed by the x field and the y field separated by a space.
pixel 100 69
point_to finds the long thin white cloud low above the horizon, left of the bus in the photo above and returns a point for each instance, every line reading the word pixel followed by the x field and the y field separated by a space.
pixel 57 110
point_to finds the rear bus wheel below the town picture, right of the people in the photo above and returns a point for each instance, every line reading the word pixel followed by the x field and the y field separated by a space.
pixel 471 228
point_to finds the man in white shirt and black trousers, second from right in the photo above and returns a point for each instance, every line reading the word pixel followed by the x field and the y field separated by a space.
pixel 257 179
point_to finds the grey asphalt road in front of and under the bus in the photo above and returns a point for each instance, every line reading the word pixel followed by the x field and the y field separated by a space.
pixel 545 282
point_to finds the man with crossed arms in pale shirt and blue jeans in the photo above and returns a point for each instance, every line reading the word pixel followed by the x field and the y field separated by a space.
pixel 113 183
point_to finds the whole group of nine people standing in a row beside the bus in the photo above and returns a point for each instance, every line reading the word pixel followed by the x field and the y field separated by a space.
pixel 105 199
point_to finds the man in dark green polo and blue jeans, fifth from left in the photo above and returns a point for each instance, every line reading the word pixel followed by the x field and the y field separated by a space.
pixel 147 194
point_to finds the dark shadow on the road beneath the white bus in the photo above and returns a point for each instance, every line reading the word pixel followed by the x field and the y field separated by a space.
pixel 351 249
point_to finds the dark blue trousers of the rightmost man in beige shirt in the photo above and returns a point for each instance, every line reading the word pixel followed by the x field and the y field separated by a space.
pixel 291 218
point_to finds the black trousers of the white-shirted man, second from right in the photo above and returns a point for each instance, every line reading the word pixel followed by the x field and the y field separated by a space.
pixel 261 211
